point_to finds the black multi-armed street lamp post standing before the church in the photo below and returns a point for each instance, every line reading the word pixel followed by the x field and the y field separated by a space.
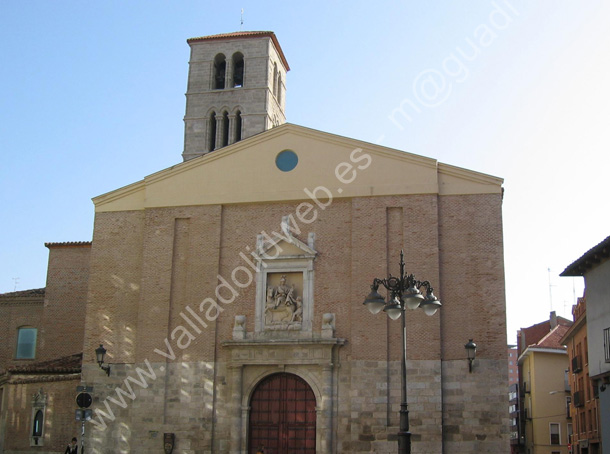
pixel 404 293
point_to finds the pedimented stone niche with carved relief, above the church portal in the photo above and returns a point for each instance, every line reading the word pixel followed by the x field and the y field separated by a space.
pixel 284 285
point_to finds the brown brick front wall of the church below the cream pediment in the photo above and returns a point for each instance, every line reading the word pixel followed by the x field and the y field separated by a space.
pixel 148 268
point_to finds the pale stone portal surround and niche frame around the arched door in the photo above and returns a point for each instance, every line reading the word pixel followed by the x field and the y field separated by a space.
pixel 295 348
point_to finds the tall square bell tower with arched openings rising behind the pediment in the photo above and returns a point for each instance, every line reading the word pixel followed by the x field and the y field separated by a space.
pixel 236 88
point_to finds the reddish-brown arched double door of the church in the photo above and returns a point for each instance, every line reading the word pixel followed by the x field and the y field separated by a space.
pixel 282 416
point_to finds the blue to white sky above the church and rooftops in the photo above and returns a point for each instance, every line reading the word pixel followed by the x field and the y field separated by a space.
pixel 92 99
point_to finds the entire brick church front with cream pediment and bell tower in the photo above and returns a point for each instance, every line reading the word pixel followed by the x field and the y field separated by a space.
pixel 228 289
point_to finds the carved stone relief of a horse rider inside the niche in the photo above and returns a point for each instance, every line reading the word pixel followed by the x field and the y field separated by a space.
pixel 283 309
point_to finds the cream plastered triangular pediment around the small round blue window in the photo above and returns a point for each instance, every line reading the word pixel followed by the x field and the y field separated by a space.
pixel 246 172
